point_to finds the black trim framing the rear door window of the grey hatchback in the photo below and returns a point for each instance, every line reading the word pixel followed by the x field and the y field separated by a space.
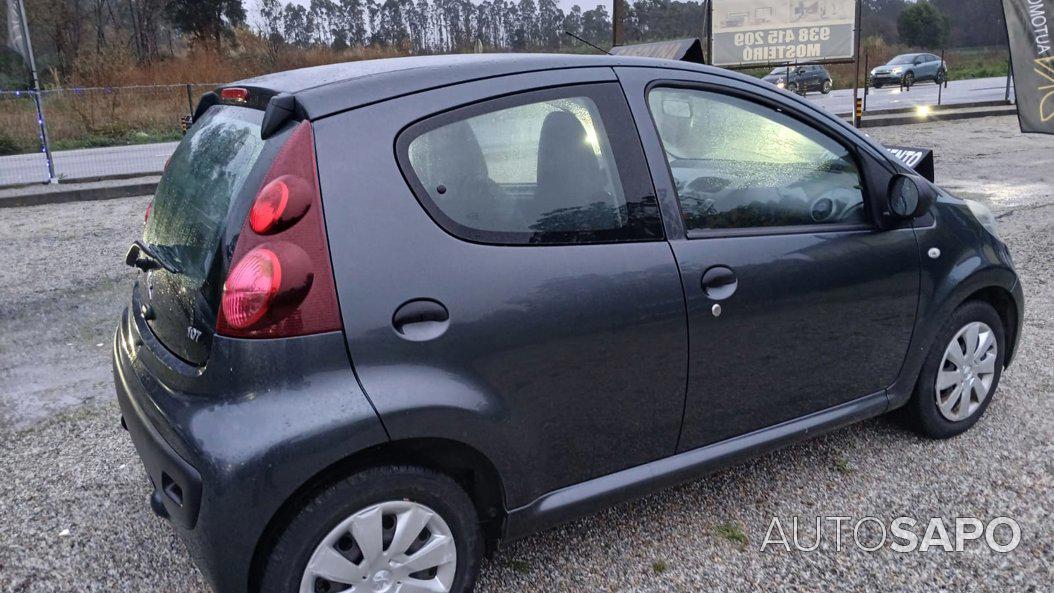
pixel 631 168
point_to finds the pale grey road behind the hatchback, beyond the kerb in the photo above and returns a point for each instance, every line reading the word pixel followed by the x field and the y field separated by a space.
pixel 150 159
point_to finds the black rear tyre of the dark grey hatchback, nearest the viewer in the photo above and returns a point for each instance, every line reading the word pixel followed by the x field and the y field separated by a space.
pixel 378 499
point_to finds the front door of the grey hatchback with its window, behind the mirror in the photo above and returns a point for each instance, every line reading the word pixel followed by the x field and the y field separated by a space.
pixel 796 302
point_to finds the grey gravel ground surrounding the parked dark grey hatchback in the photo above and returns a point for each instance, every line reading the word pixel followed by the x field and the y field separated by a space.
pixel 73 503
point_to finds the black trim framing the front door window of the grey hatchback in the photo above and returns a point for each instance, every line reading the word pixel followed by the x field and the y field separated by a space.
pixel 816 125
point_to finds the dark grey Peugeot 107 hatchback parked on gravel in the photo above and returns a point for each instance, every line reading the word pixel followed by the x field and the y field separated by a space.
pixel 392 314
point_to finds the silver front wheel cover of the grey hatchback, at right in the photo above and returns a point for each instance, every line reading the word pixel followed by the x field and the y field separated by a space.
pixel 967 371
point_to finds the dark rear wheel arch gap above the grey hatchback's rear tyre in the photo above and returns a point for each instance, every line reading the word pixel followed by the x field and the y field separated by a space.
pixel 467 466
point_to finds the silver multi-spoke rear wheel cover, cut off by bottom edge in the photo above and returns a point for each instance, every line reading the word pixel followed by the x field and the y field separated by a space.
pixel 395 547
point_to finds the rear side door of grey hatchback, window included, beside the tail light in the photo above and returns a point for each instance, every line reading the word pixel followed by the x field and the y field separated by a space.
pixel 503 275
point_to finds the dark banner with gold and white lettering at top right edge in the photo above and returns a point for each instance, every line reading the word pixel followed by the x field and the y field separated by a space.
pixel 1029 26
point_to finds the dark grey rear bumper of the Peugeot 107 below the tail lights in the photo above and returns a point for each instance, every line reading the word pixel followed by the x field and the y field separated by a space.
pixel 228 445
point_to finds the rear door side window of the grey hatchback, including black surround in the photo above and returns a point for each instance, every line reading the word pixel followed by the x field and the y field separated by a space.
pixel 543 168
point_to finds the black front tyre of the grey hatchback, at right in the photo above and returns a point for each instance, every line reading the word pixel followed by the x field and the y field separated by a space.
pixel 925 411
